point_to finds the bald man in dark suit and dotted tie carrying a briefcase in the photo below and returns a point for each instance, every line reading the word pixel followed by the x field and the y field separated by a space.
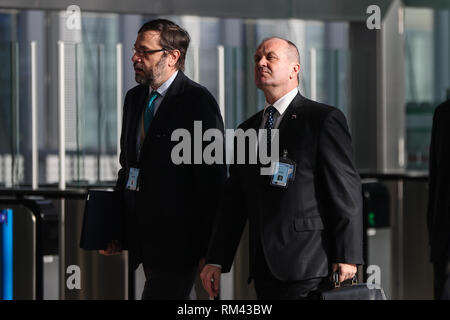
pixel 302 226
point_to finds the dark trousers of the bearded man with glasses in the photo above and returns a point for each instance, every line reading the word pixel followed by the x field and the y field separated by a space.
pixel 168 285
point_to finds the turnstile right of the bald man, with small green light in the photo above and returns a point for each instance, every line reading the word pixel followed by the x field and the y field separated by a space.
pixel 397 236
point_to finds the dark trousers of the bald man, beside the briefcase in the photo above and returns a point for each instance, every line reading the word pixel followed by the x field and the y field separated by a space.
pixel 268 287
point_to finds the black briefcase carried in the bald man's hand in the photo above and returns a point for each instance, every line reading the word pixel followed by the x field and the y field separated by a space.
pixel 353 291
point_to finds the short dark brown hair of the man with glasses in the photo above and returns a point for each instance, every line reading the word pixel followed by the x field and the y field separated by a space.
pixel 172 37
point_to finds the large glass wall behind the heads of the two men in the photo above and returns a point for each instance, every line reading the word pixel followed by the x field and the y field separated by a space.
pixel 92 87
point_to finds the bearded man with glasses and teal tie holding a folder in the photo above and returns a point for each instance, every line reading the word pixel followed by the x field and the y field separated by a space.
pixel 169 207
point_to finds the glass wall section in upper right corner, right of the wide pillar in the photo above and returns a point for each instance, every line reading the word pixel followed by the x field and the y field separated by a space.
pixel 427 67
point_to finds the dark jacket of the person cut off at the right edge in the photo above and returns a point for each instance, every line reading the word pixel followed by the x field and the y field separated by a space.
pixel 438 214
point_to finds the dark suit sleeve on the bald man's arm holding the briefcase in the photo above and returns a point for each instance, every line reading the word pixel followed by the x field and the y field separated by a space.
pixel 341 191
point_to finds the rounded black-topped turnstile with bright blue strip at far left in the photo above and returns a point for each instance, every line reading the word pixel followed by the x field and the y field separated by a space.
pixel 34 225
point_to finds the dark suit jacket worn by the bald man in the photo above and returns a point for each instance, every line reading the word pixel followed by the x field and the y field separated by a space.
pixel 317 220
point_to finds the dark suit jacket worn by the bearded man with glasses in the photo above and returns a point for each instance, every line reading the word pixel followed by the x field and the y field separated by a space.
pixel 169 220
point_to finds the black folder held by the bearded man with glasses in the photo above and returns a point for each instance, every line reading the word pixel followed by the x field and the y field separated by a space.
pixel 102 221
